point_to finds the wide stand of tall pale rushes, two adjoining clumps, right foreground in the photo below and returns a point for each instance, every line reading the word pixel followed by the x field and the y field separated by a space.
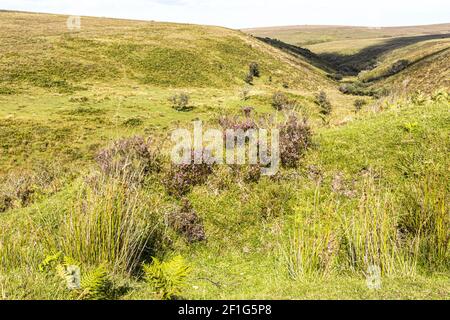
pixel 354 236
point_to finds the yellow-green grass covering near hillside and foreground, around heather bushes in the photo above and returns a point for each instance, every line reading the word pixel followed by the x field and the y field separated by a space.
pixel 104 85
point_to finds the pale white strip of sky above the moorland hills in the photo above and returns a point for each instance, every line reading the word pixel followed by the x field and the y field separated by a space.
pixel 252 13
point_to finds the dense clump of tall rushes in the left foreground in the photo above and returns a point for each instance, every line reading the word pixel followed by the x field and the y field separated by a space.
pixel 111 224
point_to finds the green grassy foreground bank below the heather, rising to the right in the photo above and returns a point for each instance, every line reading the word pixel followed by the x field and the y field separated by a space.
pixel 250 226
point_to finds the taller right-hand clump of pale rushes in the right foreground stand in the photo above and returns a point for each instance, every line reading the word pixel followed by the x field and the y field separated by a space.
pixel 369 235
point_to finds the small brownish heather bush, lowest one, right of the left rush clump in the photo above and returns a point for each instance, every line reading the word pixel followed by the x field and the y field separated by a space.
pixel 186 221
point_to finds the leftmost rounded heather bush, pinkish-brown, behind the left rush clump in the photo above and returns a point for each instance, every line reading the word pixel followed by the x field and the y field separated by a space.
pixel 132 158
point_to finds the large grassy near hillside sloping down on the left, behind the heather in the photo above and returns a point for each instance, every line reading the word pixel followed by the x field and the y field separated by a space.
pixel 53 79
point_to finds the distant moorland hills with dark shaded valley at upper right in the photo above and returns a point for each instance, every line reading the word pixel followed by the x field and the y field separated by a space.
pixel 374 54
